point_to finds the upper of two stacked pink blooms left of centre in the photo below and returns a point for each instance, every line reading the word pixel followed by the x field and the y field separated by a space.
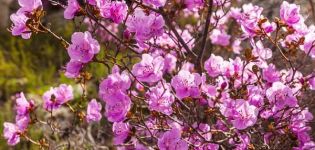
pixel 113 84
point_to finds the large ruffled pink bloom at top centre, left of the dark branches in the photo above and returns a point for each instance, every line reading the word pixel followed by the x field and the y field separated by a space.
pixel 145 26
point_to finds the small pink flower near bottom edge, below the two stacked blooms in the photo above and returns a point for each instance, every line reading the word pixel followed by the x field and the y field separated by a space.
pixel 121 132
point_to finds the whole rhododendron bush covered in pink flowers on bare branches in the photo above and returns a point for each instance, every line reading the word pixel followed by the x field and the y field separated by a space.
pixel 167 87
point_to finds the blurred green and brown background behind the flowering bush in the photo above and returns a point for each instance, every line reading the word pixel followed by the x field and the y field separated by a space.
pixel 34 65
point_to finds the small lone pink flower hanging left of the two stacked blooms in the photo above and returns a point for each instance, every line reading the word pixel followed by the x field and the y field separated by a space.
pixel 93 111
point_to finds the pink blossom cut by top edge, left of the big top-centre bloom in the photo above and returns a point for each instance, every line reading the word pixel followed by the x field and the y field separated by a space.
pixel 116 11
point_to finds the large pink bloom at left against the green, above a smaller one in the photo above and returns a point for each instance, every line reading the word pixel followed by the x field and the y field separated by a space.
pixel 83 47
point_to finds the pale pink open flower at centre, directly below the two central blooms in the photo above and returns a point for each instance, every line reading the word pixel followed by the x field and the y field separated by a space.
pixel 161 99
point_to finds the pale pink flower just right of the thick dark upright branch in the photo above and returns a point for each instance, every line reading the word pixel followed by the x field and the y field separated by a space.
pixel 214 65
